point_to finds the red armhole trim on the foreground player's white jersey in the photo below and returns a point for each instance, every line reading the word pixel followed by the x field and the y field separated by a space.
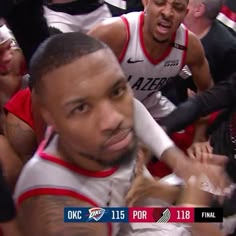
pixel 59 192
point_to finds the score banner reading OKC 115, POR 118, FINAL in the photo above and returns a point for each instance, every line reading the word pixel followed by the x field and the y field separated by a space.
pixel 139 215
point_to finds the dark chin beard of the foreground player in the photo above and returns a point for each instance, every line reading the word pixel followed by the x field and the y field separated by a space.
pixel 123 159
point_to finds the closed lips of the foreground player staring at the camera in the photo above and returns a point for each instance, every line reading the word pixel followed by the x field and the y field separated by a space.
pixel 119 141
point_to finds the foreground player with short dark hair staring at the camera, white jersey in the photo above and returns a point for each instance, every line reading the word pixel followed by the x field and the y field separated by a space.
pixel 89 159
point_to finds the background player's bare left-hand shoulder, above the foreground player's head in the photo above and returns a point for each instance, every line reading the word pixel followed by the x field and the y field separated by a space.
pixel 113 32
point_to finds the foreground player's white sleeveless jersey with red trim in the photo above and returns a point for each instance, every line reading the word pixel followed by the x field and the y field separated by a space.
pixel 47 174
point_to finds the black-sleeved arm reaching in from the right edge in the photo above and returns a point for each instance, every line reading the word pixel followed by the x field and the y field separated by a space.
pixel 219 97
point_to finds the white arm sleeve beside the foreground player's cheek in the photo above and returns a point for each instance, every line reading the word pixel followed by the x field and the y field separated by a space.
pixel 149 132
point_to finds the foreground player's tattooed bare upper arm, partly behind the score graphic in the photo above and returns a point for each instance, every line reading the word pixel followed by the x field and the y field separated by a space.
pixel 44 215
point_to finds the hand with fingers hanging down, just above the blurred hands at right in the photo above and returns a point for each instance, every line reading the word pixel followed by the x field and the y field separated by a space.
pixel 196 150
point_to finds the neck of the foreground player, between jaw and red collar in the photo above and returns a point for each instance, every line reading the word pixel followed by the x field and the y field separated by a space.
pixel 63 151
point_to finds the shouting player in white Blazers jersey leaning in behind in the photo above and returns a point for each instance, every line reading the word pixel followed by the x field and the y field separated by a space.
pixel 153 46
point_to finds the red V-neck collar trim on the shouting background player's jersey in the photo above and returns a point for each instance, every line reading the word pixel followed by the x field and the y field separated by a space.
pixel 164 55
